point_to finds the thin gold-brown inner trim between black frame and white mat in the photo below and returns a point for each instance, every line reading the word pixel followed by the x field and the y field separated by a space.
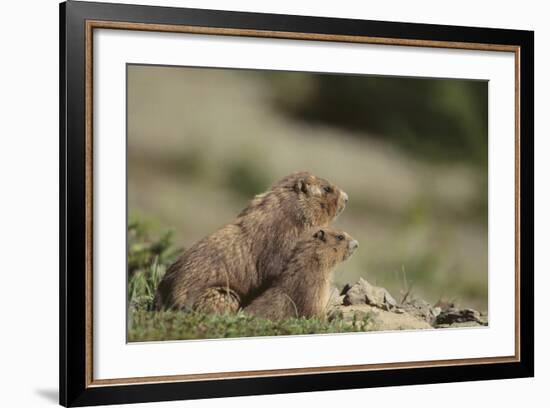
pixel 93 24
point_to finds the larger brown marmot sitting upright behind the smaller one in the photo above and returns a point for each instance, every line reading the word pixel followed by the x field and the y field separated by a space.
pixel 221 271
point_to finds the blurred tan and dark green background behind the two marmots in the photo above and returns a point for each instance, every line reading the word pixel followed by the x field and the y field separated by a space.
pixel 411 153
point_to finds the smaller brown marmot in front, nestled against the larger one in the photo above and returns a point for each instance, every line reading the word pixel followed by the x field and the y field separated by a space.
pixel 303 287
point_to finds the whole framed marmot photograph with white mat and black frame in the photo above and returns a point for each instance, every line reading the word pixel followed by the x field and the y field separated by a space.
pixel 257 204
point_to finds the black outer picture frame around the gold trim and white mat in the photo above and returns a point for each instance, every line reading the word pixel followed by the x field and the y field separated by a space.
pixel 75 389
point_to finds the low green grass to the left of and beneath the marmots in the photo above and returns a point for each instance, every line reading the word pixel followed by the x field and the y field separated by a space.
pixel 149 256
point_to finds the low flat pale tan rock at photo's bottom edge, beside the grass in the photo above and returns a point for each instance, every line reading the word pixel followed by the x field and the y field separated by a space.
pixel 378 319
